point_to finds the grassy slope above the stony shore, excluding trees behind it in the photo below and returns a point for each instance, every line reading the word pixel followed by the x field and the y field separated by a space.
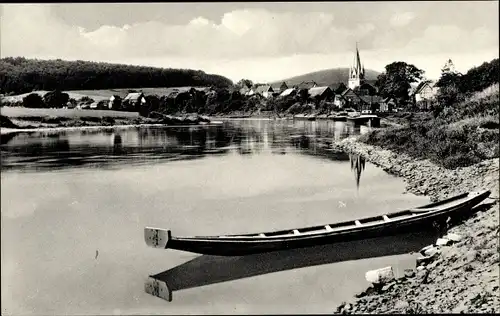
pixel 461 136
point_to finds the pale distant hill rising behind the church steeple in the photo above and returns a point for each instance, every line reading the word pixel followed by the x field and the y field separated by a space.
pixel 327 77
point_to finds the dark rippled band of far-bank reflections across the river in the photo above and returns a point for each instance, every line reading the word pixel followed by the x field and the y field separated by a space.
pixel 110 148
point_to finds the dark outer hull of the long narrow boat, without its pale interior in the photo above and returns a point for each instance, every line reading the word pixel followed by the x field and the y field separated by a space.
pixel 248 244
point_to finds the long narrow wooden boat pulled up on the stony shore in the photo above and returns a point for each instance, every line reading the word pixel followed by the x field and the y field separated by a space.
pixel 416 219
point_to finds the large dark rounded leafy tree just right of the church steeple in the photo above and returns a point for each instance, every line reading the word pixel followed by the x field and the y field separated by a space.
pixel 395 81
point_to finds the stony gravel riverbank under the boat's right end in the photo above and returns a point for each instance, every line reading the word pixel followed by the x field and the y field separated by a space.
pixel 460 277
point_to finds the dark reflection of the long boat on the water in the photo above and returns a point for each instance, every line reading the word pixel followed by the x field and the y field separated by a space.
pixel 207 269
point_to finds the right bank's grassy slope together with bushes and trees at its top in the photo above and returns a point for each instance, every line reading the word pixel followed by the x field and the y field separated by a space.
pixel 463 127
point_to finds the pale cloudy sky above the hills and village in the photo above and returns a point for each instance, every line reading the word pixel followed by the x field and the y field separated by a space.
pixel 260 41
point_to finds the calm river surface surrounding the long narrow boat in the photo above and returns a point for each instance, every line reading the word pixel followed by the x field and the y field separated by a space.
pixel 74 205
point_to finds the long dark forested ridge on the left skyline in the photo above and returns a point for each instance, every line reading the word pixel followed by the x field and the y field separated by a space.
pixel 20 75
